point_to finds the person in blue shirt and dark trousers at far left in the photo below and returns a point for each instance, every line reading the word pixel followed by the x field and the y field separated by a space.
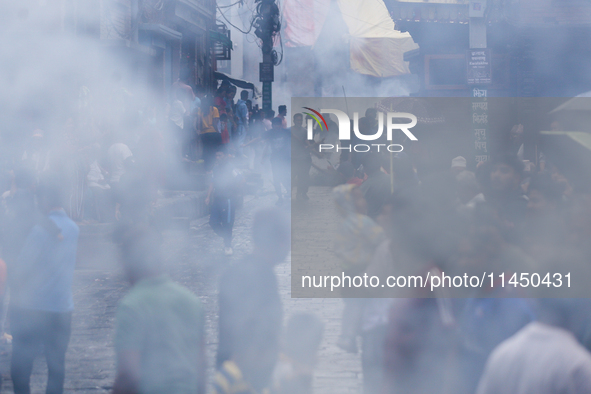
pixel 41 282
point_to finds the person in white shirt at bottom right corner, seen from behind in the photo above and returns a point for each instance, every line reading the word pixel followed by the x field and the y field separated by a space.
pixel 544 357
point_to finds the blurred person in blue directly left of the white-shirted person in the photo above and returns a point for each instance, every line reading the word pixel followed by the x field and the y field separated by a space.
pixel 491 315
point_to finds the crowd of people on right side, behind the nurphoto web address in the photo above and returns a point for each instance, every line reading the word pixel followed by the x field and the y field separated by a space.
pixel 505 215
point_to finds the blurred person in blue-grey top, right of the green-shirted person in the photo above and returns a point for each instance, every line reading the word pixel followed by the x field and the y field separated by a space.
pixel 250 310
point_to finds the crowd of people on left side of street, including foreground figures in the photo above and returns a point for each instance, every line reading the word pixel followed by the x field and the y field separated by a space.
pixel 112 169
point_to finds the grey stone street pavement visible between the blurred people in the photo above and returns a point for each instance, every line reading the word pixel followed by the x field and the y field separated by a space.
pixel 195 259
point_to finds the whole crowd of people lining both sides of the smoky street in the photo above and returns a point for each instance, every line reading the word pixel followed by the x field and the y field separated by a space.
pixel 504 215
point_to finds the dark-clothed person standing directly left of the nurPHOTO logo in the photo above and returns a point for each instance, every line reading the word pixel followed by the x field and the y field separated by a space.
pixel 301 157
